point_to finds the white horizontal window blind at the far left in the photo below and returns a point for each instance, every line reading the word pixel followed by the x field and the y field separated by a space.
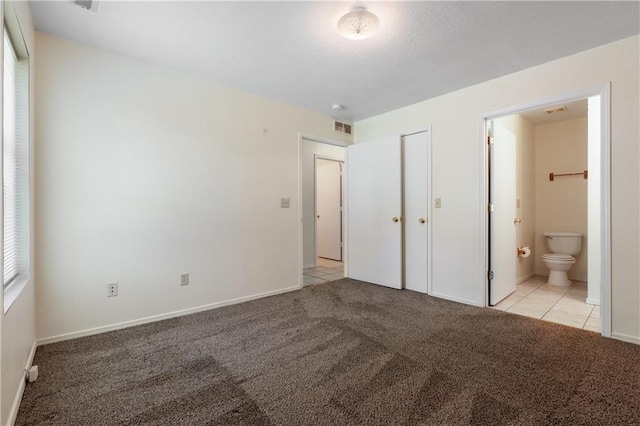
pixel 15 161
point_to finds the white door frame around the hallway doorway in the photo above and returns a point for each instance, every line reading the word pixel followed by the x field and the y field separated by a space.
pixel 302 136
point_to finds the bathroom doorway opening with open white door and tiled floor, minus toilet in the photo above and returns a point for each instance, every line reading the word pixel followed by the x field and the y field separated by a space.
pixel 531 189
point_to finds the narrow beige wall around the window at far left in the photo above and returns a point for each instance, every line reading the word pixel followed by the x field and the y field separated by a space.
pixel 17 335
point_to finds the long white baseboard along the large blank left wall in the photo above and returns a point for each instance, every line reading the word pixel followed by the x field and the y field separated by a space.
pixel 154 318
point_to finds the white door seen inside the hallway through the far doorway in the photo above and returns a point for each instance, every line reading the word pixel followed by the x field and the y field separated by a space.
pixel 329 209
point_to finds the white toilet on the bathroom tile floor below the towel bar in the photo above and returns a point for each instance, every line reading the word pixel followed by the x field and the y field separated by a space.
pixel 563 246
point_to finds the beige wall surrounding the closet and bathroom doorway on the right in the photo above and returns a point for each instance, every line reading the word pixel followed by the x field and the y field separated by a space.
pixel 457 174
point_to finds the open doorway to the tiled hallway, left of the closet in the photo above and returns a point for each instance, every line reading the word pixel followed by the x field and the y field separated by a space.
pixel 322 236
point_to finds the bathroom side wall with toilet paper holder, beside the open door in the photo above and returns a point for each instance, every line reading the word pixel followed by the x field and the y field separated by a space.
pixel 523 131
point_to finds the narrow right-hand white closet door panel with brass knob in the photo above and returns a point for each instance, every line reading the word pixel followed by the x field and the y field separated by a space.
pixel 416 167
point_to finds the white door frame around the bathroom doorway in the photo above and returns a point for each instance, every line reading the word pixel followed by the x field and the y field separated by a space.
pixel 604 91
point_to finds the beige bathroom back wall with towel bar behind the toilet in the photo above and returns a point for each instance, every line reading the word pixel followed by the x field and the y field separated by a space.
pixel 561 205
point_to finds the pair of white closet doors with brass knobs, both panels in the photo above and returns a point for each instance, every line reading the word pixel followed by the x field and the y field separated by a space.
pixel 387 182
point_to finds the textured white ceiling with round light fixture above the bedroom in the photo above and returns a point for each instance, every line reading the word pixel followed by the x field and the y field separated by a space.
pixel 291 51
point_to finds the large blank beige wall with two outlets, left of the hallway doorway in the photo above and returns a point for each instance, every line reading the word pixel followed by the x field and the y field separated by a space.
pixel 144 173
